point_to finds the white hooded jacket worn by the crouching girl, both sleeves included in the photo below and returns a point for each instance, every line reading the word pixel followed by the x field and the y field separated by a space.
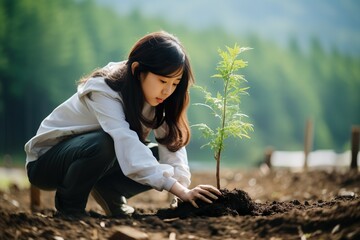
pixel 81 114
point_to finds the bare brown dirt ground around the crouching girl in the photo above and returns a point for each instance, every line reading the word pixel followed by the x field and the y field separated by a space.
pixel 317 204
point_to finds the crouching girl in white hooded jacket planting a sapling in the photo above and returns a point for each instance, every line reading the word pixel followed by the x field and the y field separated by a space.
pixel 96 141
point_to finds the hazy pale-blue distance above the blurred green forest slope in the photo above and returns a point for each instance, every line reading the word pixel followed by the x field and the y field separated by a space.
pixel 334 23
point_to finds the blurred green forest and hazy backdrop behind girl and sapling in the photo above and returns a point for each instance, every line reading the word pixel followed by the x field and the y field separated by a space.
pixel 305 63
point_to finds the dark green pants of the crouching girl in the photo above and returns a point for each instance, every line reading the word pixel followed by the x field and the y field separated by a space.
pixel 74 166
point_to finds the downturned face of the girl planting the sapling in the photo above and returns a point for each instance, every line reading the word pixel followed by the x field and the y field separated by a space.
pixel 157 88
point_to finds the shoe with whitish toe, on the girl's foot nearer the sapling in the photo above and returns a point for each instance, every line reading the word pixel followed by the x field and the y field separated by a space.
pixel 114 206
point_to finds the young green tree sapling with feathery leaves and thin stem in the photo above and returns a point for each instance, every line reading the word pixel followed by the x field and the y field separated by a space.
pixel 226 105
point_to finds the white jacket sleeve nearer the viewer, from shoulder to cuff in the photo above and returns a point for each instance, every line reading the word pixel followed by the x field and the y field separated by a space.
pixel 135 159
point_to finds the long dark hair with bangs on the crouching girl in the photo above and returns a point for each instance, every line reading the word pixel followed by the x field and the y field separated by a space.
pixel 162 54
